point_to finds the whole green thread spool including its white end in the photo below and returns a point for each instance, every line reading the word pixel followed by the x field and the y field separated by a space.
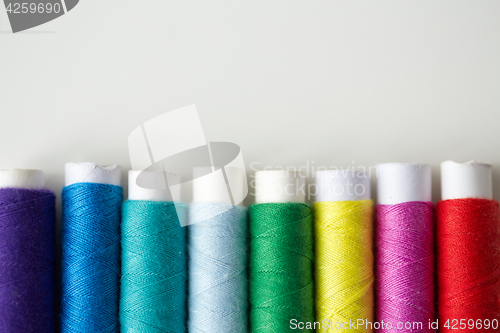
pixel 281 254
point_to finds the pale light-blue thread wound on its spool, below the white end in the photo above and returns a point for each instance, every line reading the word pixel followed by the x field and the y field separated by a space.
pixel 218 284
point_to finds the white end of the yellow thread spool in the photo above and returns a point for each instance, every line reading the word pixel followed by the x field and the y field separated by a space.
pixel 342 185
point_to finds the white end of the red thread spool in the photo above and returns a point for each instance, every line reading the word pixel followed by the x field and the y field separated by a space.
pixel 472 179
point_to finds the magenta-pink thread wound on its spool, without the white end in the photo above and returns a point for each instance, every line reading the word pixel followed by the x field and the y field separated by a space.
pixel 405 265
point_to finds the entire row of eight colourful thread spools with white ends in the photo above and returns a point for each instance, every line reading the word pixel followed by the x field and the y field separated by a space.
pixel 282 258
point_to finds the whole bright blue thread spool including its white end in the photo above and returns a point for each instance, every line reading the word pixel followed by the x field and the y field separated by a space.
pixel 90 261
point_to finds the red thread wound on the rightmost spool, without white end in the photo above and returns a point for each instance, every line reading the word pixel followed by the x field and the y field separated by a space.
pixel 468 235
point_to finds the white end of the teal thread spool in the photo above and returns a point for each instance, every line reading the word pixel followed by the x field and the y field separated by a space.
pixel 136 192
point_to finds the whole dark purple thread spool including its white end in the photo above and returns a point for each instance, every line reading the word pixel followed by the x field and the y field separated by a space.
pixel 27 245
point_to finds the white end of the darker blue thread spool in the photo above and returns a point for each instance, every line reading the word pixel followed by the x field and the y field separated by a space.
pixel 92 173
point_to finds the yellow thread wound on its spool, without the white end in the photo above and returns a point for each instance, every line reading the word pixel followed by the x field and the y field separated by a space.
pixel 344 262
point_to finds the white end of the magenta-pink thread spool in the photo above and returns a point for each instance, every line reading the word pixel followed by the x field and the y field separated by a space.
pixel 403 182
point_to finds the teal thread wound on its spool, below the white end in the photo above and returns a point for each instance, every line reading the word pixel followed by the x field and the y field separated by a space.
pixel 153 286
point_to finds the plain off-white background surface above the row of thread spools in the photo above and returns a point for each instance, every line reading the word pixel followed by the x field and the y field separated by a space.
pixel 334 83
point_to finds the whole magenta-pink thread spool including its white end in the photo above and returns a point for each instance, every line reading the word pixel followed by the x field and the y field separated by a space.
pixel 404 243
